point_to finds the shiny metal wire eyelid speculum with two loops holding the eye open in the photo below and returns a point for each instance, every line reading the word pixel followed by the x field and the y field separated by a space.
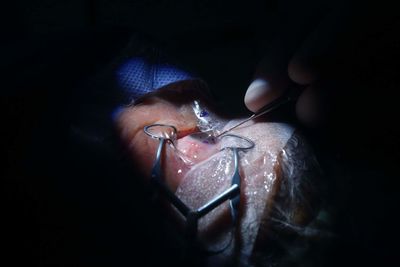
pixel 168 134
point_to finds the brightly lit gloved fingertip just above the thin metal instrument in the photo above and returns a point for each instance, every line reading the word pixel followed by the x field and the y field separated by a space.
pixel 258 94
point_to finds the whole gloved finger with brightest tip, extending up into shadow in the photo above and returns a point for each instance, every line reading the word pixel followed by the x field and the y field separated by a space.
pixel 271 77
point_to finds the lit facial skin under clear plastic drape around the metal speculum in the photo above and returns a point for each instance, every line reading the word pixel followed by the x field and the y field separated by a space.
pixel 197 171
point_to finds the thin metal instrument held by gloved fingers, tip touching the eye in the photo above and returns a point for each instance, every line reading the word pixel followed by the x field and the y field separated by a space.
pixel 289 95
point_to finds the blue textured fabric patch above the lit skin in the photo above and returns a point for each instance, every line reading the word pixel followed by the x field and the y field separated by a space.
pixel 138 76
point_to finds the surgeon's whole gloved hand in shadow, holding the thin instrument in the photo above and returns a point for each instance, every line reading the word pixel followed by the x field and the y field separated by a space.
pixel 329 50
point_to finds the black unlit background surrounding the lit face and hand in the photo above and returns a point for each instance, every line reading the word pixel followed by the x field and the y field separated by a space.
pixel 69 199
